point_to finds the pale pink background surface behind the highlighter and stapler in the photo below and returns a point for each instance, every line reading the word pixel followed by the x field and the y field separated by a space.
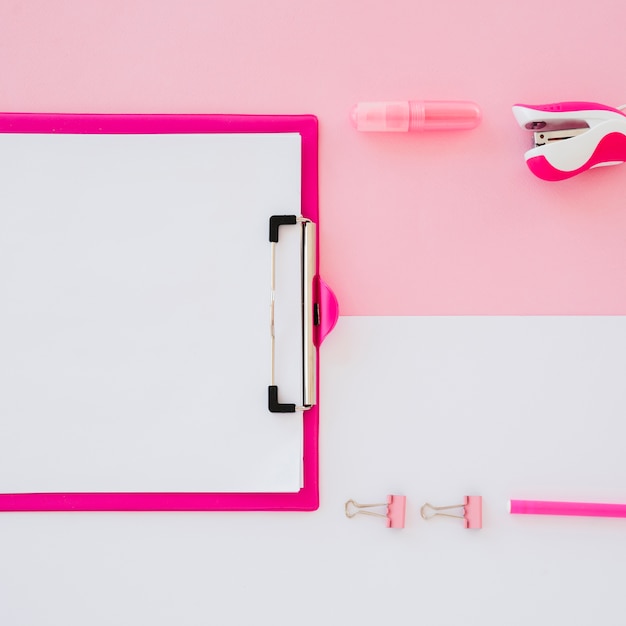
pixel 411 224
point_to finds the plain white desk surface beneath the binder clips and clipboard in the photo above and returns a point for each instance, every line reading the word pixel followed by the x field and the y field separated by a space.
pixel 313 568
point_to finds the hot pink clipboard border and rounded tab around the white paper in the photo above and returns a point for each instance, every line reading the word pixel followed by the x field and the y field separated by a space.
pixel 307 499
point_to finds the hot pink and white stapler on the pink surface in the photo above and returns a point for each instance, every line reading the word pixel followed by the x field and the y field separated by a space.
pixel 572 137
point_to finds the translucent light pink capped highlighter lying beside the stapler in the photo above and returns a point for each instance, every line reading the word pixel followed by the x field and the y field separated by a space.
pixel 415 115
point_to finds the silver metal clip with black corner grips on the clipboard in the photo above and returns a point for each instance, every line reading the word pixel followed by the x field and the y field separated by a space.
pixel 310 315
